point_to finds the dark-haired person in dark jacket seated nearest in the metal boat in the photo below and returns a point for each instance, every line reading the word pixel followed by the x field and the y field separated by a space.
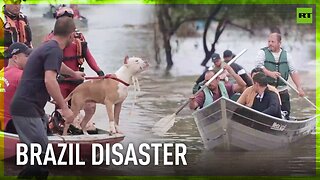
pixel 265 101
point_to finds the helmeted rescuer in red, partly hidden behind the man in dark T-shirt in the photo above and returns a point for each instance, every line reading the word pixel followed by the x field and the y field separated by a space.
pixel 74 55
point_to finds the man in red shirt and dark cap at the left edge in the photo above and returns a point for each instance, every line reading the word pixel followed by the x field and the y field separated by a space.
pixel 17 54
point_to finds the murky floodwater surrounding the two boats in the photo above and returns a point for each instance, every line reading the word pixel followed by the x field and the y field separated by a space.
pixel 115 31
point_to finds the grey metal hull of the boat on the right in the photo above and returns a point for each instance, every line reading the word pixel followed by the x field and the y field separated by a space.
pixel 227 125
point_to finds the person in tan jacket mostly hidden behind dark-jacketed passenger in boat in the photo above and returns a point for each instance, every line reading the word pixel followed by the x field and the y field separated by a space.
pixel 249 93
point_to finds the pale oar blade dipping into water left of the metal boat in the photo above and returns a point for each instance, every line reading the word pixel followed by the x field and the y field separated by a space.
pixel 164 124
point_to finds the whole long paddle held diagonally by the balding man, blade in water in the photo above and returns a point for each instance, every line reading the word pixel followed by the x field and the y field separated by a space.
pixel 164 124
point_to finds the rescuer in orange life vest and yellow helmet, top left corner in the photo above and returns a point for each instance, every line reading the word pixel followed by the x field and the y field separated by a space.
pixel 15 26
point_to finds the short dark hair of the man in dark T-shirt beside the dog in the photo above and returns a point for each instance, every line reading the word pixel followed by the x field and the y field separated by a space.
pixel 64 26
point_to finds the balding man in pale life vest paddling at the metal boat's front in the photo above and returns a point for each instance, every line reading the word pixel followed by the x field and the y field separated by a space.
pixel 216 89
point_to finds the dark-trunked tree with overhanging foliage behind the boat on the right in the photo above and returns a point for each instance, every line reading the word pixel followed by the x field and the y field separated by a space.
pixel 251 18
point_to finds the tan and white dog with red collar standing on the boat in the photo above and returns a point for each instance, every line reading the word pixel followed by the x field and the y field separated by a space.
pixel 110 91
